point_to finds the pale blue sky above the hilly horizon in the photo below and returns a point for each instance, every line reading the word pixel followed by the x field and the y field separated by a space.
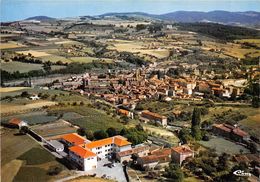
pixel 12 10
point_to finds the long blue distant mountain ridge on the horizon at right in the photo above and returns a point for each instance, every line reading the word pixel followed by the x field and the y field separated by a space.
pixel 225 17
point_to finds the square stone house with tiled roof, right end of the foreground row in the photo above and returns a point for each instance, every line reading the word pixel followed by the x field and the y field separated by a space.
pixel 180 153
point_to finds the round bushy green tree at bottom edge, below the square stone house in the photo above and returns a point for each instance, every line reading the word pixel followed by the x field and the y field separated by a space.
pixel 174 172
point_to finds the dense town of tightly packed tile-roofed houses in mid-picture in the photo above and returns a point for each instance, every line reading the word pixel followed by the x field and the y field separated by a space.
pixel 129 88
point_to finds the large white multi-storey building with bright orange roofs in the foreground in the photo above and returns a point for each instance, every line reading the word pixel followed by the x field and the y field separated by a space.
pixel 85 153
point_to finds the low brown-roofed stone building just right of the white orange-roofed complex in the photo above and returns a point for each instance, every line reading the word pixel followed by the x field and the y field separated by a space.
pixel 126 155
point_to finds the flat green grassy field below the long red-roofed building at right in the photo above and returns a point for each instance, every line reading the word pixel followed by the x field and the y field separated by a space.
pixel 222 145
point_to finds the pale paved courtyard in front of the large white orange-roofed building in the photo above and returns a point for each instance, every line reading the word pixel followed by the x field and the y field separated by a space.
pixel 105 170
